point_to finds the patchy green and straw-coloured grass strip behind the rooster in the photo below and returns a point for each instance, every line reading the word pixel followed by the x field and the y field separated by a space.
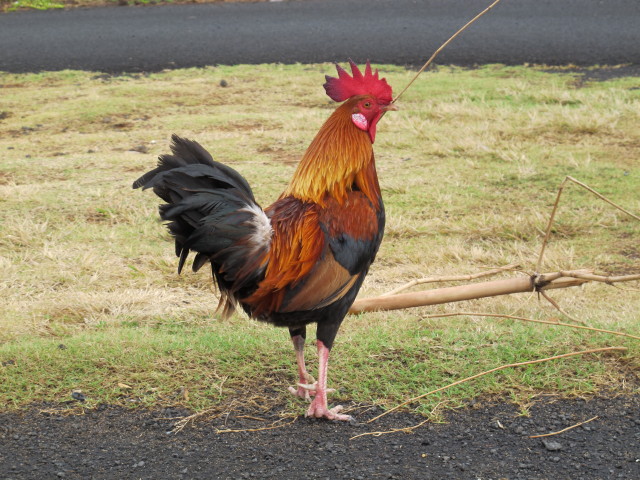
pixel 469 170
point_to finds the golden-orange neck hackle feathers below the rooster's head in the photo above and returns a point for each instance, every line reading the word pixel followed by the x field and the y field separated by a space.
pixel 339 157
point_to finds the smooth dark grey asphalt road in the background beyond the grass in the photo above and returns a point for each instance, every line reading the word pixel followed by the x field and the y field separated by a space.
pixel 404 32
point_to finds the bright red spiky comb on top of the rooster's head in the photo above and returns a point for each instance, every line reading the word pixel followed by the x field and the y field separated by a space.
pixel 347 86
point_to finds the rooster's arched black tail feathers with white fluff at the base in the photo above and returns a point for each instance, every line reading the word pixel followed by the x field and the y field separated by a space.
pixel 210 210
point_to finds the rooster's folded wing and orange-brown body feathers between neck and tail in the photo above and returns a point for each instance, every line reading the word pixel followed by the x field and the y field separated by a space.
pixel 318 253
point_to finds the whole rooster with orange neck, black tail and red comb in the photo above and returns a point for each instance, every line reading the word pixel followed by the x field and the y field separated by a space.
pixel 303 259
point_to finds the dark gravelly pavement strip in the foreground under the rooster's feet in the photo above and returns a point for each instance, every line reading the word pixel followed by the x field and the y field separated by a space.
pixel 483 441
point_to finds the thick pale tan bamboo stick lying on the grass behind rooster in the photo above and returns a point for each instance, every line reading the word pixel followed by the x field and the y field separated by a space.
pixel 473 291
